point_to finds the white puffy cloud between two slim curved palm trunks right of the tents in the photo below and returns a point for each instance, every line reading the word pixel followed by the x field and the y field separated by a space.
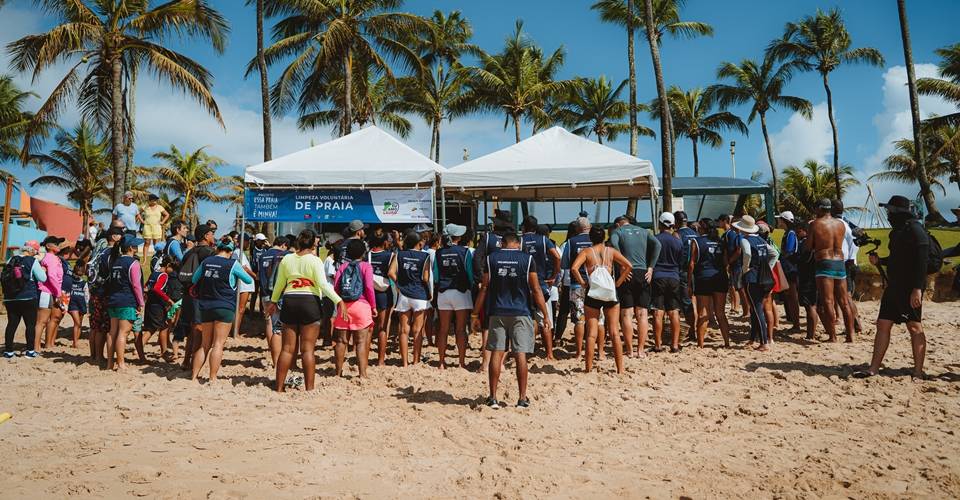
pixel 801 139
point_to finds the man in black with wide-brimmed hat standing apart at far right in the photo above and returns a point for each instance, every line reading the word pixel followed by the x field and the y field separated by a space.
pixel 903 297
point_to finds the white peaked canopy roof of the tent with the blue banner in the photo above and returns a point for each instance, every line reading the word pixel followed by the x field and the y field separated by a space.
pixel 368 157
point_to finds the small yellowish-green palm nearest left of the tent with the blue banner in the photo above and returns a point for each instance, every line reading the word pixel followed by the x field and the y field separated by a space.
pixel 191 175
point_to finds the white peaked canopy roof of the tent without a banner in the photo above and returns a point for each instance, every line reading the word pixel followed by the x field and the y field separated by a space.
pixel 561 163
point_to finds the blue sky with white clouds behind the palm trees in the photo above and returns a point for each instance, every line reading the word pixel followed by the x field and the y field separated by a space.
pixel 871 104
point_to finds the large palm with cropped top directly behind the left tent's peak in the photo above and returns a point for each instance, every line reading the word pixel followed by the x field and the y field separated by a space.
pixel 323 34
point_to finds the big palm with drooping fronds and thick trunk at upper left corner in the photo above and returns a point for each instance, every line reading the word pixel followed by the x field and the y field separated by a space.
pixel 106 43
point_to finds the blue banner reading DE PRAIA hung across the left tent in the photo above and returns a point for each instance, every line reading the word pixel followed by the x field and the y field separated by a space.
pixel 338 205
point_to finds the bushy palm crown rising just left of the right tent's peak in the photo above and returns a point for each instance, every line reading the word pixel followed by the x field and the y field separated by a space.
pixel 518 81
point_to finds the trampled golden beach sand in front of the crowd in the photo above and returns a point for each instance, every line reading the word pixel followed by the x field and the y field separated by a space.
pixel 704 423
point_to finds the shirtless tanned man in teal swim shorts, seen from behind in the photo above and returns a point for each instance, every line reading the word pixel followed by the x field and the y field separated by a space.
pixel 826 242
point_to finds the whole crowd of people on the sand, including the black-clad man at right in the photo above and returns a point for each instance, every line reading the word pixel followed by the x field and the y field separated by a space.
pixel 191 288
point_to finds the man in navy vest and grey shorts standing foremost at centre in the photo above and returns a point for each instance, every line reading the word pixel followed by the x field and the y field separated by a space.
pixel 510 285
